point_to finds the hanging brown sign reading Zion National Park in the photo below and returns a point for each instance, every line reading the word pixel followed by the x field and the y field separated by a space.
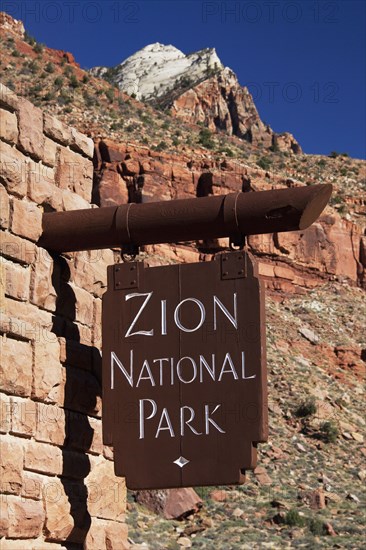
pixel 184 371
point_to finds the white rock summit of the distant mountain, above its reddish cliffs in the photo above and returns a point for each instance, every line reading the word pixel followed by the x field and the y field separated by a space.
pixel 157 68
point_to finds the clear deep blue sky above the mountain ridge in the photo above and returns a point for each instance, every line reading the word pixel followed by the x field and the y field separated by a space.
pixel 303 60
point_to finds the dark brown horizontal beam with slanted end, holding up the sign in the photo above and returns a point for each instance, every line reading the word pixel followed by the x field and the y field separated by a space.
pixel 185 220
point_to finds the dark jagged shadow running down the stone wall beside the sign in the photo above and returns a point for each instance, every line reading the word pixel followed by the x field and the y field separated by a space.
pixel 78 432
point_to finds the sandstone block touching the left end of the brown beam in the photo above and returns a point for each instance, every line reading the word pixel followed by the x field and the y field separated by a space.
pixel 26 220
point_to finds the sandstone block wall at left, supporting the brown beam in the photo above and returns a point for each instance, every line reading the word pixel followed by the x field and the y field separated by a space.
pixel 57 480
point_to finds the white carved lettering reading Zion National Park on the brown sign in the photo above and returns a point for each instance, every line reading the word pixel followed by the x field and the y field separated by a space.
pixel 168 370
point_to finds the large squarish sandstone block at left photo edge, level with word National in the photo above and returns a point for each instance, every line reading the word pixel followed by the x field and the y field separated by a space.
pixel 15 366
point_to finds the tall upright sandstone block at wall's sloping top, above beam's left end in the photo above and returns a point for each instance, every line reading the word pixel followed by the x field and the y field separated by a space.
pixel 31 138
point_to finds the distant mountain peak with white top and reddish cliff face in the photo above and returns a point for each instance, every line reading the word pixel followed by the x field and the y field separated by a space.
pixel 196 88
